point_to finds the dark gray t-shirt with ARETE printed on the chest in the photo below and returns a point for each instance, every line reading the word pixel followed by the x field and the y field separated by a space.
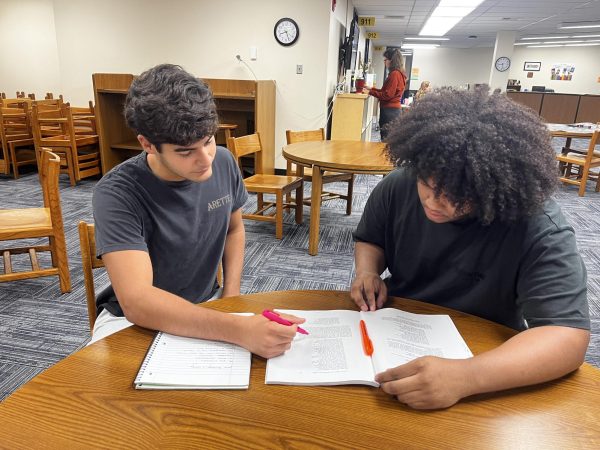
pixel 182 225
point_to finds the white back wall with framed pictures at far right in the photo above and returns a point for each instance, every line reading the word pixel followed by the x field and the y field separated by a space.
pixel 585 78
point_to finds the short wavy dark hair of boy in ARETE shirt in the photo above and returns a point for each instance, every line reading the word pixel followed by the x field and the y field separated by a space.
pixel 166 104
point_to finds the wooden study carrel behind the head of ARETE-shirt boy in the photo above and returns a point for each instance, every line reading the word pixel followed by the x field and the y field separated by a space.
pixel 248 104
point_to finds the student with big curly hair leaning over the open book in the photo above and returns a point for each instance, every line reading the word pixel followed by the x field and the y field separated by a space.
pixel 467 221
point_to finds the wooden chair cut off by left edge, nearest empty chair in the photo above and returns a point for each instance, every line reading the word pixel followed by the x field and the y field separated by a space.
pixel 31 223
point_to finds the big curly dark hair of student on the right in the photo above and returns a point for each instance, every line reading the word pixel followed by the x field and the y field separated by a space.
pixel 485 153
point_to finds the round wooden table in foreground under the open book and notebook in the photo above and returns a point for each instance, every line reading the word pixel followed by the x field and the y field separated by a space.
pixel 88 401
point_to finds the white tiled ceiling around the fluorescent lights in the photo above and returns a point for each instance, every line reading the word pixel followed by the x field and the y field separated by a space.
pixel 527 17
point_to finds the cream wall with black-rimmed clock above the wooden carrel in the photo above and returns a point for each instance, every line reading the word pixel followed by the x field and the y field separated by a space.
pixel 203 36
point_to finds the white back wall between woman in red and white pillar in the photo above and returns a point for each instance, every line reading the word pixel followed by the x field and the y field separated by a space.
pixel 452 66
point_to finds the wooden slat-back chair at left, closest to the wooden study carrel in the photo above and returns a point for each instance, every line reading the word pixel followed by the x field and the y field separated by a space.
pixel 56 129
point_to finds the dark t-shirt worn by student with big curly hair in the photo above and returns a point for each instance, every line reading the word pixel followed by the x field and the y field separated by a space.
pixel 526 274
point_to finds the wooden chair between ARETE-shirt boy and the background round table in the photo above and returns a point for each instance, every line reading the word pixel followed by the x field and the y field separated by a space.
pixel 278 185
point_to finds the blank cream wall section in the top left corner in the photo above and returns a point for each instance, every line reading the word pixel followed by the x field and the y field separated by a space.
pixel 29 60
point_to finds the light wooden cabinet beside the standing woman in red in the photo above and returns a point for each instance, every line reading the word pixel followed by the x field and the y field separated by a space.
pixel 352 116
